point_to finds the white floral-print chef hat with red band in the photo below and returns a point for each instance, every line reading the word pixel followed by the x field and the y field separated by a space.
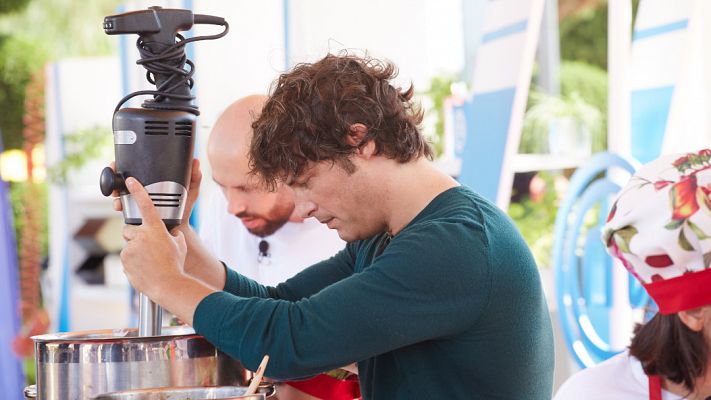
pixel 660 228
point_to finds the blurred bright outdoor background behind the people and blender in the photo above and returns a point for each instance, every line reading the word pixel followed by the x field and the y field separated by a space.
pixel 529 102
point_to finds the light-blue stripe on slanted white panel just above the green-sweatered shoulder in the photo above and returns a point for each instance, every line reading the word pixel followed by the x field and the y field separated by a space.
pixel 488 116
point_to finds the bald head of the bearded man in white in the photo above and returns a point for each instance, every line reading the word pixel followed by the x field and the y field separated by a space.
pixel 261 211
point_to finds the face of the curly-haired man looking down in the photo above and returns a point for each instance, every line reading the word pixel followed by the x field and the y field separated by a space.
pixel 338 199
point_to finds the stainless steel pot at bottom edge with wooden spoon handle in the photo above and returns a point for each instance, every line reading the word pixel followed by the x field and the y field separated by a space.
pixel 194 393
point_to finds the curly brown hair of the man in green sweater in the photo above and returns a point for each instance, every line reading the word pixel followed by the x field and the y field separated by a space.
pixel 312 108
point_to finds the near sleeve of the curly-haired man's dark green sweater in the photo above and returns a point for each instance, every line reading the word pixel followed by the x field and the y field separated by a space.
pixel 429 282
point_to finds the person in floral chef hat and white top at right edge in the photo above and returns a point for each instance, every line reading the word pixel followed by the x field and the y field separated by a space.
pixel 660 229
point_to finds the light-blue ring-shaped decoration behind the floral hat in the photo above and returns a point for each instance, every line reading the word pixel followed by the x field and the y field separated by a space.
pixel 582 267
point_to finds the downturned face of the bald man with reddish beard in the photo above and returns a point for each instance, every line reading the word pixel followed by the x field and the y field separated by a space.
pixel 262 212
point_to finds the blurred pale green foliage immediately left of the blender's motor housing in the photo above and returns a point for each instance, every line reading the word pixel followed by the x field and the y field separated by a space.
pixel 81 147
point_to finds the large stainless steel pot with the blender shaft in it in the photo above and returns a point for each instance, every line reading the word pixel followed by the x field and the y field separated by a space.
pixel 81 365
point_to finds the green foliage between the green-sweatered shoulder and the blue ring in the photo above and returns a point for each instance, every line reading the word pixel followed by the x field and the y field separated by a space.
pixel 536 220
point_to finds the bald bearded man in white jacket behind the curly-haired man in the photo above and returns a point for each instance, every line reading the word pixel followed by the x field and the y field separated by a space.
pixel 256 232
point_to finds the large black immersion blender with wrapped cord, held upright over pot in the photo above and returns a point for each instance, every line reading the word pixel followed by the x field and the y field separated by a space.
pixel 154 143
